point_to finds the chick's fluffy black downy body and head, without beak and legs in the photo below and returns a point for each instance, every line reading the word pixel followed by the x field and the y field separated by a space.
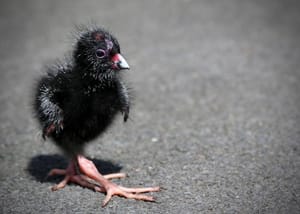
pixel 75 103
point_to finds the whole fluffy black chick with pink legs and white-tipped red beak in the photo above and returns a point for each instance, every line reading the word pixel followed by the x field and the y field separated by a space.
pixel 77 101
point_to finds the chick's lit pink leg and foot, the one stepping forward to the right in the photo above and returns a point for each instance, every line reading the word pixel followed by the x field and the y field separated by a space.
pixel 88 168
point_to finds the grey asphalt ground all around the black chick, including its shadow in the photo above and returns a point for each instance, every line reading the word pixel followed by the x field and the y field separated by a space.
pixel 216 119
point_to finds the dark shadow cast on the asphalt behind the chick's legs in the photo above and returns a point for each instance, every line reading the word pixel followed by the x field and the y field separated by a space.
pixel 39 166
